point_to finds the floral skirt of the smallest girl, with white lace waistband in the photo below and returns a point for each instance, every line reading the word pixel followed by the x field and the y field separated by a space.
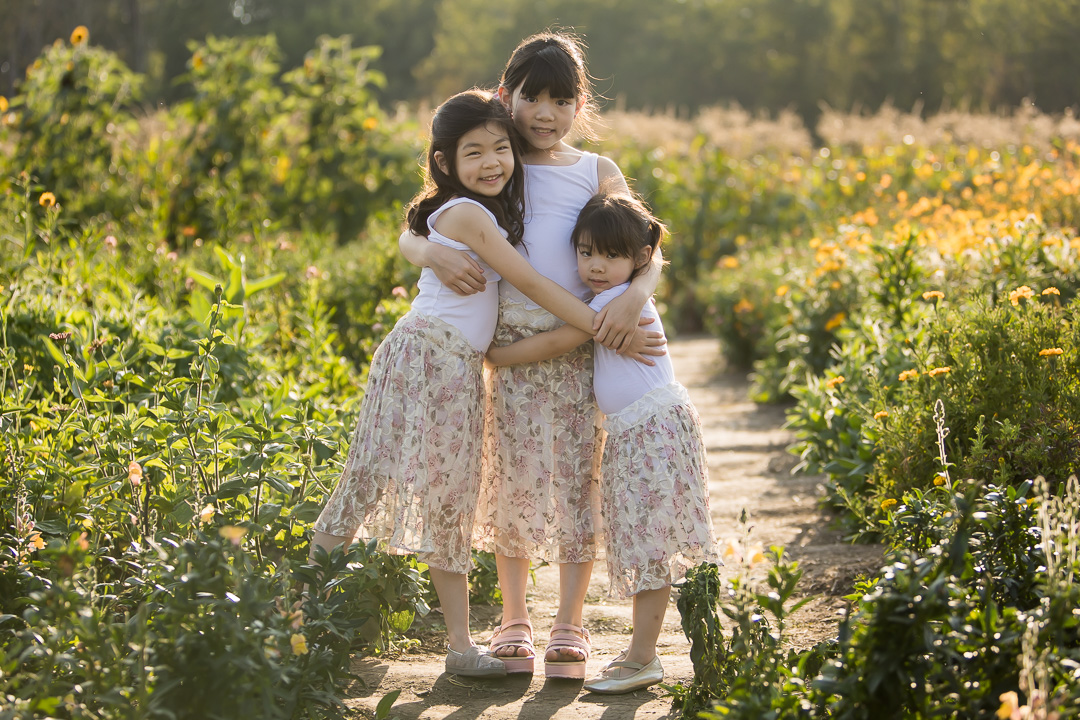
pixel 656 493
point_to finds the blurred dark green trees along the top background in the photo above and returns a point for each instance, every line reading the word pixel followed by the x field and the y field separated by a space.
pixel 767 56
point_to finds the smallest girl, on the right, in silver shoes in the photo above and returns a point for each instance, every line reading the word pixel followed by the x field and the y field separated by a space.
pixel 655 498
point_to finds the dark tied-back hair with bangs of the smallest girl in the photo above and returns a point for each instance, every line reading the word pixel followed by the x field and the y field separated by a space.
pixel 618 224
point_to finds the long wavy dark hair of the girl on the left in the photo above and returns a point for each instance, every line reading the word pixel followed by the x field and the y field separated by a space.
pixel 452 121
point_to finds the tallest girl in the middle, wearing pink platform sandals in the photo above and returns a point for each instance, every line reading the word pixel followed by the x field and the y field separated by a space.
pixel 541 493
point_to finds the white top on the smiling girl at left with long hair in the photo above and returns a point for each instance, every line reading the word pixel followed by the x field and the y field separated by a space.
pixel 476 316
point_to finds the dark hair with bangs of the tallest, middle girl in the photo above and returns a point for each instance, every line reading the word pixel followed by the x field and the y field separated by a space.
pixel 555 62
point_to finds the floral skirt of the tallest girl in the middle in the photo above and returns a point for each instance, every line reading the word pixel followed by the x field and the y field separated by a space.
pixel 541 494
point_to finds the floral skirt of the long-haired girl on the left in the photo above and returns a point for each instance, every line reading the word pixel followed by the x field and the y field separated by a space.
pixel 414 467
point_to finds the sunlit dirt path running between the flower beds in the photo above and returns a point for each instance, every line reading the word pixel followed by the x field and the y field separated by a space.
pixel 750 469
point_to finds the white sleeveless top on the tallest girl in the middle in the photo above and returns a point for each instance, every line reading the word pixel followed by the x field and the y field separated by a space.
pixel 555 195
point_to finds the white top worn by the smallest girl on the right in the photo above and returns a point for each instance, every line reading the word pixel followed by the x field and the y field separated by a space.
pixel 619 381
